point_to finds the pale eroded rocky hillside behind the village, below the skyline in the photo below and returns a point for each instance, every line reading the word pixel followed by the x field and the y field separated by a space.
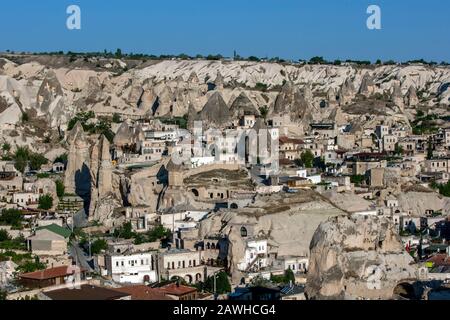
pixel 51 90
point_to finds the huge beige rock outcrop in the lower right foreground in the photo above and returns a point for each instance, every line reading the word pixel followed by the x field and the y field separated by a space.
pixel 357 257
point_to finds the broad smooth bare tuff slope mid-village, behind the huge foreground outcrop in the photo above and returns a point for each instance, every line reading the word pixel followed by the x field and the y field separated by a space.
pixel 288 222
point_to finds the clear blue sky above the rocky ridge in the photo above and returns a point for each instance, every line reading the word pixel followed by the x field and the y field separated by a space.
pixel 292 29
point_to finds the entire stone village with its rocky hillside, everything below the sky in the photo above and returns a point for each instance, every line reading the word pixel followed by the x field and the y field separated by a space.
pixel 219 179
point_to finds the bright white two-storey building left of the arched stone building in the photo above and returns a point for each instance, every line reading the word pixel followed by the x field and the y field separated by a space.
pixel 136 268
